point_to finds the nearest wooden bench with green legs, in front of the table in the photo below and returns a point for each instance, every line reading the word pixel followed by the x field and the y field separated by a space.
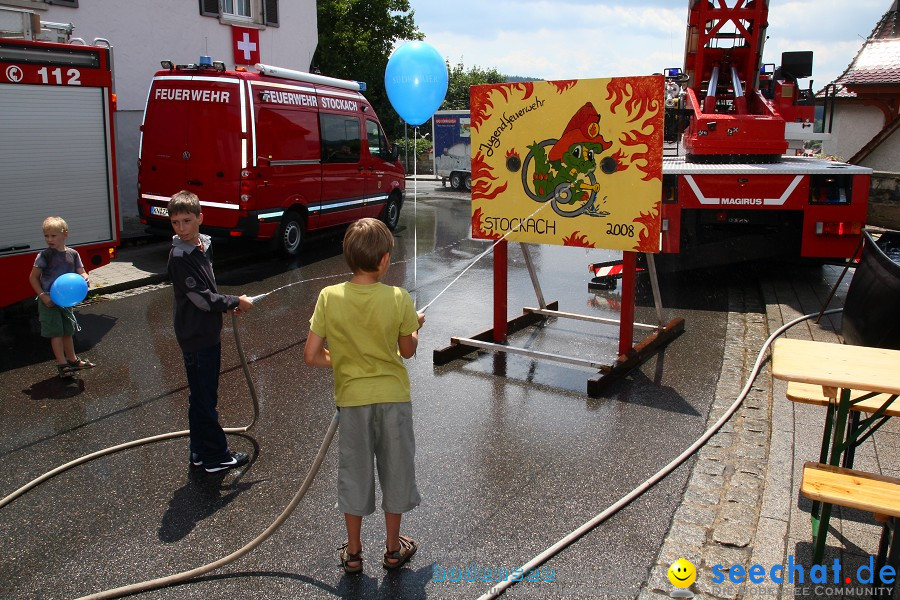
pixel 877 494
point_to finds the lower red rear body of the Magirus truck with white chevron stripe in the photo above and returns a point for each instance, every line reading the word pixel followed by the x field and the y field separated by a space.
pixel 799 207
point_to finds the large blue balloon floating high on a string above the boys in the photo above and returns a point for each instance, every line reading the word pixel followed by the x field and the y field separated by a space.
pixel 416 81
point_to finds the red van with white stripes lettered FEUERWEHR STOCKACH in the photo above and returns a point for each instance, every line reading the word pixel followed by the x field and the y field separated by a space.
pixel 272 154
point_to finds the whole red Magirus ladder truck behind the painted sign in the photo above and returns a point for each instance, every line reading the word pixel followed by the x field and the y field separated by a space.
pixel 731 191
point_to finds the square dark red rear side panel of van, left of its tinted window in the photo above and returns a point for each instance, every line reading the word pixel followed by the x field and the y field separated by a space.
pixel 287 134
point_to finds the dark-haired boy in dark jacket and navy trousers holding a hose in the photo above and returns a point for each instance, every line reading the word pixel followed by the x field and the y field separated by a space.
pixel 198 308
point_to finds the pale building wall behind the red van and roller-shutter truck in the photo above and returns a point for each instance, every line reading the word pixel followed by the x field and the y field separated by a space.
pixel 144 33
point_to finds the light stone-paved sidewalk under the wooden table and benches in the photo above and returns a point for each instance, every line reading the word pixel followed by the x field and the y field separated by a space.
pixel 742 504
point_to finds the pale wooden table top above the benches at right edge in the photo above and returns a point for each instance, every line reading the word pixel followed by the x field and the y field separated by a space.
pixel 837 365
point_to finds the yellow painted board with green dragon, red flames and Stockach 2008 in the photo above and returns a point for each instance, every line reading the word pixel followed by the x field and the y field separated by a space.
pixel 571 163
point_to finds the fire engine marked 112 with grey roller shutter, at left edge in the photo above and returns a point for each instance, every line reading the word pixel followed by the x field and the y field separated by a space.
pixel 57 147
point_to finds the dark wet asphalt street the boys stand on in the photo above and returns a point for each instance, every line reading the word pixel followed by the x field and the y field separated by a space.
pixel 511 453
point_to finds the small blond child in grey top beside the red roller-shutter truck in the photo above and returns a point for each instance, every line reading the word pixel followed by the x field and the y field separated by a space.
pixel 57 322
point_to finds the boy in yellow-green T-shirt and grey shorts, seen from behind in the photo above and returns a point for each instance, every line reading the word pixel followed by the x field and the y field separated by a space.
pixel 369 326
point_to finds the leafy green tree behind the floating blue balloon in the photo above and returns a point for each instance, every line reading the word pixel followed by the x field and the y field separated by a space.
pixel 356 38
